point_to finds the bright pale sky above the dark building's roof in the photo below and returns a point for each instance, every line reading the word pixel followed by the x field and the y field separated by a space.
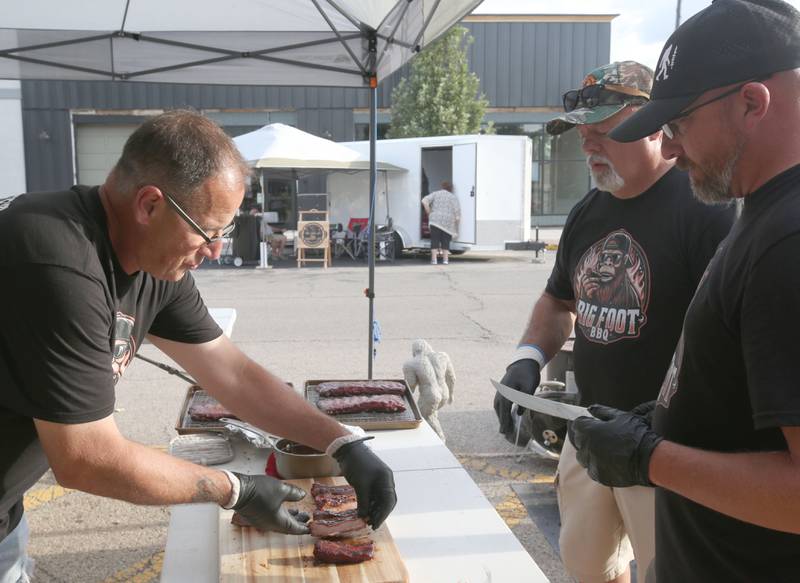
pixel 638 32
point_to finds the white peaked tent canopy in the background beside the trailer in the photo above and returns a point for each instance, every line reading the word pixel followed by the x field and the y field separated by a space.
pixel 284 147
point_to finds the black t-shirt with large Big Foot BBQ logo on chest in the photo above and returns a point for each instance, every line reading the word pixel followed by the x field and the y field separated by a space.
pixel 632 265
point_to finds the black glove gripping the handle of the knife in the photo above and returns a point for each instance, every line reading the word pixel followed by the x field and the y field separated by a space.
pixel 614 446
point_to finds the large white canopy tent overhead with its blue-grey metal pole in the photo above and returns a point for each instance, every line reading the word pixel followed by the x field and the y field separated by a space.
pixel 342 43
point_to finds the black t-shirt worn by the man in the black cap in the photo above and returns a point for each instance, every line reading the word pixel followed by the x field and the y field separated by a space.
pixel 735 387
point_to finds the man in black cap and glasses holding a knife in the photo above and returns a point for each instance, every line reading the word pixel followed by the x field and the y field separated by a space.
pixel 724 447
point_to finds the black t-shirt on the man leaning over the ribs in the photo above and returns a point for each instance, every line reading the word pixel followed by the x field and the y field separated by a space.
pixel 71 321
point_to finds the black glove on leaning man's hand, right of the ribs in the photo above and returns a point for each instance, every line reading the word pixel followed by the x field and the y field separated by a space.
pixel 372 480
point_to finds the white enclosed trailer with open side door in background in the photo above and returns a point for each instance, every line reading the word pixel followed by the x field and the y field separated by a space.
pixel 491 176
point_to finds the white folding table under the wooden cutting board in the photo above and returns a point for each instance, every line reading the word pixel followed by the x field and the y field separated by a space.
pixel 444 527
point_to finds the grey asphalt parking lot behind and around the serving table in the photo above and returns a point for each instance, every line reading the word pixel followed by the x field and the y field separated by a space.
pixel 312 323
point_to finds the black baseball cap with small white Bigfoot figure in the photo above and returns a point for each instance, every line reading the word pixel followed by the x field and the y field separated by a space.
pixel 731 41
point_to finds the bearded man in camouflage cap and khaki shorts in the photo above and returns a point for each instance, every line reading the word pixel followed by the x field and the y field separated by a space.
pixel 630 257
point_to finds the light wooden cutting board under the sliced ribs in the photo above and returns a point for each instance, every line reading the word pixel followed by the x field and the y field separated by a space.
pixel 247 555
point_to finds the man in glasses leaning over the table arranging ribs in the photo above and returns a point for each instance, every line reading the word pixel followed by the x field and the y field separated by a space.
pixel 87 274
